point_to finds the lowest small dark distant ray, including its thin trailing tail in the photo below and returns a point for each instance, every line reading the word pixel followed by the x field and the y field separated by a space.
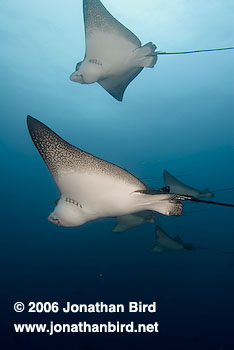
pixel 166 243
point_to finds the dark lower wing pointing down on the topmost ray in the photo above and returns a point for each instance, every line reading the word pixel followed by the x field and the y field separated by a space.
pixel 116 85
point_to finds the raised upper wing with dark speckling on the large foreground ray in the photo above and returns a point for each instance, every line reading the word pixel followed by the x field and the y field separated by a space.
pixel 62 158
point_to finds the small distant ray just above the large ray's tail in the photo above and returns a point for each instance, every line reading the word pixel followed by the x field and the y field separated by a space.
pixel 177 186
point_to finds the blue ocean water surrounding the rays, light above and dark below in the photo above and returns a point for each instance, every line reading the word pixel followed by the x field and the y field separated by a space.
pixel 177 116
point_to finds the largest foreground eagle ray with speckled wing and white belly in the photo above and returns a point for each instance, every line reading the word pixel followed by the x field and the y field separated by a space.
pixel 90 187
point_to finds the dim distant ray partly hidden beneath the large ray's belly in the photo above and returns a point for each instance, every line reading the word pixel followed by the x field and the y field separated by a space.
pixel 125 222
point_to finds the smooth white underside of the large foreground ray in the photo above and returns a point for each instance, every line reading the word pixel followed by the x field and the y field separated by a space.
pixel 99 196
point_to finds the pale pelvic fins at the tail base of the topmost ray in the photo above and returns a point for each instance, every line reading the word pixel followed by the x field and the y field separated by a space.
pixel 146 55
